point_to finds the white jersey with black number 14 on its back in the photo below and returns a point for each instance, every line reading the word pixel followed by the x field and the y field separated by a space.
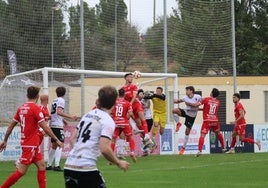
pixel 93 125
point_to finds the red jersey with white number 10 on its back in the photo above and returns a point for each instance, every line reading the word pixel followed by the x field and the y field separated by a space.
pixel 210 109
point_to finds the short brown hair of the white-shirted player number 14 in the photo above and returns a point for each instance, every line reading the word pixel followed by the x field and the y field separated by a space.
pixel 107 96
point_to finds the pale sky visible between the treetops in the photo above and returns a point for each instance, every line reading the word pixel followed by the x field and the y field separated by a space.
pixel 141 11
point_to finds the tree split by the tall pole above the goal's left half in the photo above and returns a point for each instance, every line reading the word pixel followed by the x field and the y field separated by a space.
pixel 93 51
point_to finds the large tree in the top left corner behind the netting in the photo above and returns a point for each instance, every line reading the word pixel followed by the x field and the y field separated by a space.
pixel 28 31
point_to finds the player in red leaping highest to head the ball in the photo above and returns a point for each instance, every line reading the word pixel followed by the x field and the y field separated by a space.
pixel 131 91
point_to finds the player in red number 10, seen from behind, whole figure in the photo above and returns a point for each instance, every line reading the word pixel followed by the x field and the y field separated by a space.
pixel 210 119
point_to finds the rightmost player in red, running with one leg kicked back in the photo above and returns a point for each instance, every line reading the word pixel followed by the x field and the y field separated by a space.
pixel 240 125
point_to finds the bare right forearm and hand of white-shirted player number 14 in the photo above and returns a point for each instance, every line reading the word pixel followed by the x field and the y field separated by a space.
pixel 106 151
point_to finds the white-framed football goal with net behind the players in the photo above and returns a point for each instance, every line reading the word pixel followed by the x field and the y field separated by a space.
pixel 81 93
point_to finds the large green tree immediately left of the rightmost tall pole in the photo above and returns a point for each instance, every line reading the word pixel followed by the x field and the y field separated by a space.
pixel 201 37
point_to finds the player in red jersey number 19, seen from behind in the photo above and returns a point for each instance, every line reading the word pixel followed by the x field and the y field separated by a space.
pixel 121 112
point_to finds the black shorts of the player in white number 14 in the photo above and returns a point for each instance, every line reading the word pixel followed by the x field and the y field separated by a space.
pixel 76 179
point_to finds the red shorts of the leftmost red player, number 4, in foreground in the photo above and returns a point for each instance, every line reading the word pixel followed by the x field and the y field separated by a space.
pixel 30 155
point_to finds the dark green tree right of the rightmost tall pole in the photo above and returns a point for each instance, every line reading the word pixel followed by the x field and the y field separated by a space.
pixel 251 37
